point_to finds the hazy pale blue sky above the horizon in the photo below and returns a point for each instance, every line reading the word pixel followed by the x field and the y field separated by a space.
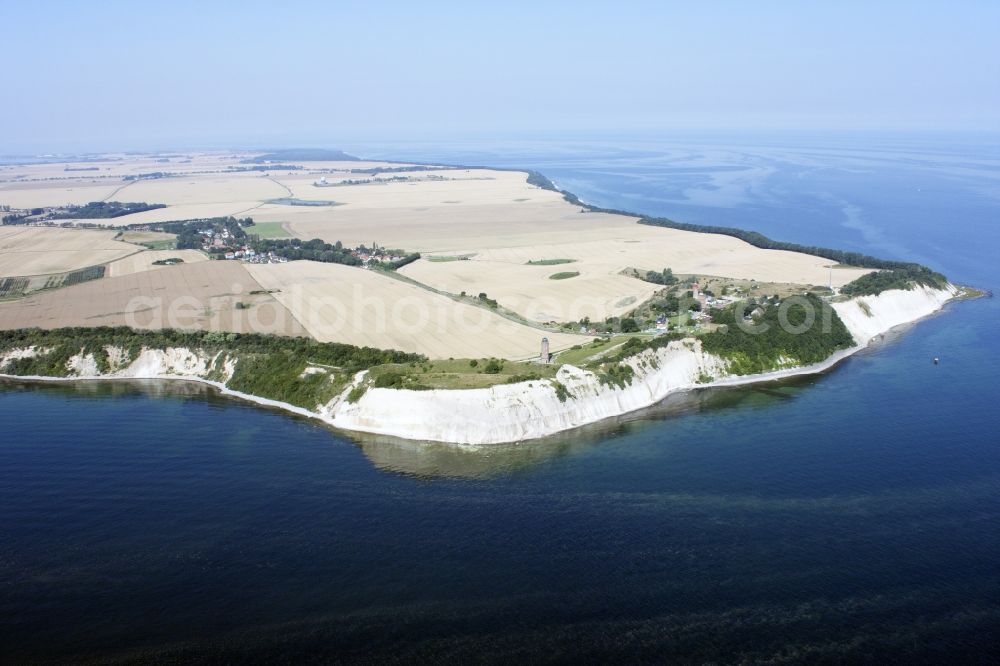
pixel 88 75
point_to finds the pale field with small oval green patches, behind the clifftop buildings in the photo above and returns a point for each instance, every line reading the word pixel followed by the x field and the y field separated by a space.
pixel 600 290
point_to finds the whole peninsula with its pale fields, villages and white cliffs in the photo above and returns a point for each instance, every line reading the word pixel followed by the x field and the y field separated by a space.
pixel 457 304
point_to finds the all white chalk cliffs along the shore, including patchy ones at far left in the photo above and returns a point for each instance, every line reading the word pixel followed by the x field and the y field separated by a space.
pixel 513 412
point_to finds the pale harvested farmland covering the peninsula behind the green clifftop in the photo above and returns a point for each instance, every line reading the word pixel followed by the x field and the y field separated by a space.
pixel 490 284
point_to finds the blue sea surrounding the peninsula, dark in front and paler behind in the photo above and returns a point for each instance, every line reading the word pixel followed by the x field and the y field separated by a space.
pixel 852 517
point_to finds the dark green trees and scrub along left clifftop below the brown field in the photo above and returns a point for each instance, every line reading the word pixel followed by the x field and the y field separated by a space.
pixel 266 366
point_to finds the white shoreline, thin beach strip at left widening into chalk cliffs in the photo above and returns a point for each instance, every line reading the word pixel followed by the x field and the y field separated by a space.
pixel 673 371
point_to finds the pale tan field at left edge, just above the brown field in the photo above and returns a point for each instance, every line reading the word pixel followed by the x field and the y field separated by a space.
pixel 42 250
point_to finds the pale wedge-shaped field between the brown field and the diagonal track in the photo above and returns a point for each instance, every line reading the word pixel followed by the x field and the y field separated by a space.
pixel 343 304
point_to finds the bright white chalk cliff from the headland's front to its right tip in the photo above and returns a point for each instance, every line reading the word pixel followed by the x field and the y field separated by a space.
pixel 528 410
